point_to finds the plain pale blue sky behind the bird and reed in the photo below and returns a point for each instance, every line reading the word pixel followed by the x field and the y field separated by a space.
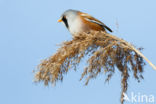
pixel 29 33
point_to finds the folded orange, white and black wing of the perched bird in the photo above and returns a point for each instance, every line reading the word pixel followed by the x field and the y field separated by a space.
pixel 94 20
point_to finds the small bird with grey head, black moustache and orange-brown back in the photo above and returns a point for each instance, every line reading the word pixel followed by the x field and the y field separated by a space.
pixel 78 22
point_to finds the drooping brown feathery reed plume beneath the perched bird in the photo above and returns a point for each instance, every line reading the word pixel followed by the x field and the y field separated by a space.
pixel 105 54
